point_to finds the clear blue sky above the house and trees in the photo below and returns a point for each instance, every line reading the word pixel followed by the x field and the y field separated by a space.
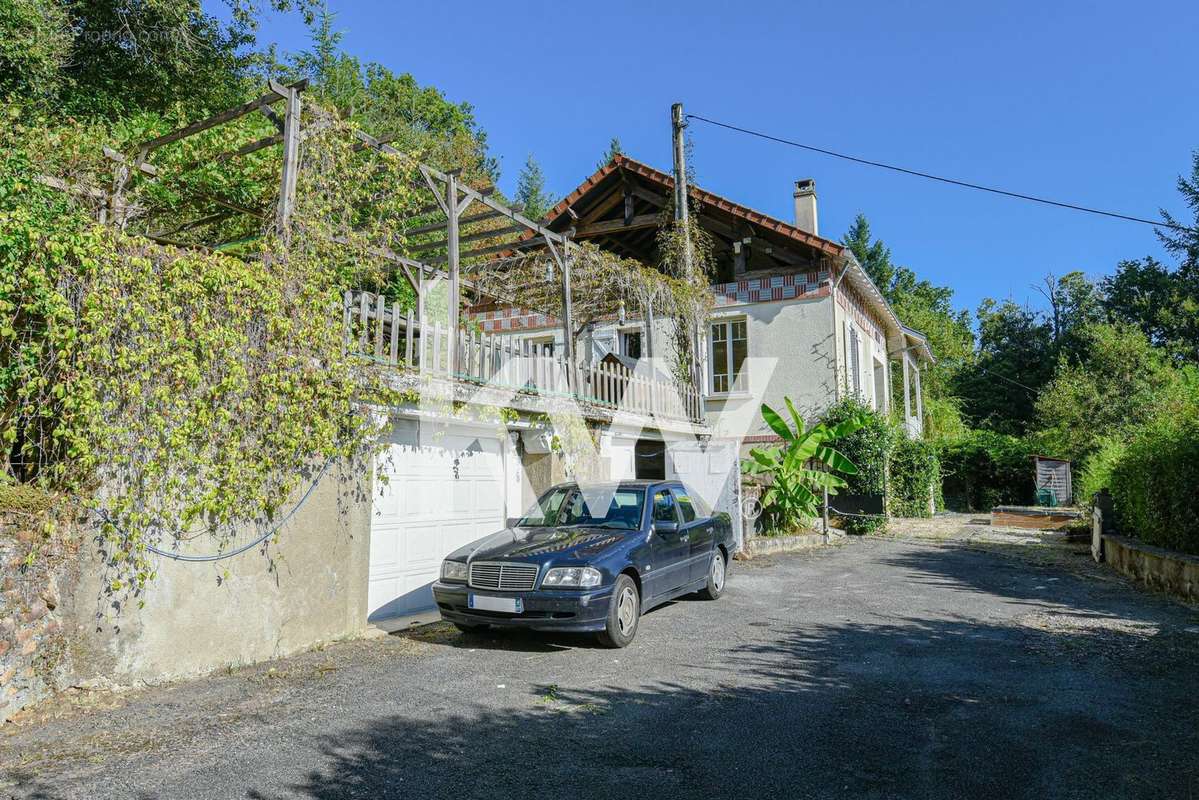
pixel 1086 103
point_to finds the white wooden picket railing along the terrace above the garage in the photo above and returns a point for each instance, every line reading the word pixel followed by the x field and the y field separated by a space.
pixel 382 330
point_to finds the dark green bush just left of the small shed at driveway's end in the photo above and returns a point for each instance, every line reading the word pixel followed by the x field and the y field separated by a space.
pixel 985 470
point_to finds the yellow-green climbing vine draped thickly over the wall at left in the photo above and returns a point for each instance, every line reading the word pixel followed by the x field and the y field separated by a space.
pixel 184 393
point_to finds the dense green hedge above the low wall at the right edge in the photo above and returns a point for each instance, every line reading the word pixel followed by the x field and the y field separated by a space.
pixel 1154 485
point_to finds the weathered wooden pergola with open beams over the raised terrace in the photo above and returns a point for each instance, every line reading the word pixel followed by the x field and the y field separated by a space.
pixel 460 232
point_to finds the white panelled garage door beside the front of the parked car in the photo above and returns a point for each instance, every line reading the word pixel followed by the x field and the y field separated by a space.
pixel 439 496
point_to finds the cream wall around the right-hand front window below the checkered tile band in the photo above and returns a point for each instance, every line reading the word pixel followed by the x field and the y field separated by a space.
pixel 799 336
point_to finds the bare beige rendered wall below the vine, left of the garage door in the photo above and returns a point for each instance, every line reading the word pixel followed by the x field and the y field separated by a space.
pixel 198 618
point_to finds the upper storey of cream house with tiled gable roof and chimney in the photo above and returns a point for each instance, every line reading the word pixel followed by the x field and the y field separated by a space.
pixel 794 314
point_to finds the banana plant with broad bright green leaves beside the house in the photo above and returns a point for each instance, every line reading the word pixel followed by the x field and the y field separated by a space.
pixel 793 496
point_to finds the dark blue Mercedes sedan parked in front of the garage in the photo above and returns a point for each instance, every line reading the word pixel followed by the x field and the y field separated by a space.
pixel 589 560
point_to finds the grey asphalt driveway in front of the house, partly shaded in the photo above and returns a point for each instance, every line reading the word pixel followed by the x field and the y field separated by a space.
pixel 877 670
